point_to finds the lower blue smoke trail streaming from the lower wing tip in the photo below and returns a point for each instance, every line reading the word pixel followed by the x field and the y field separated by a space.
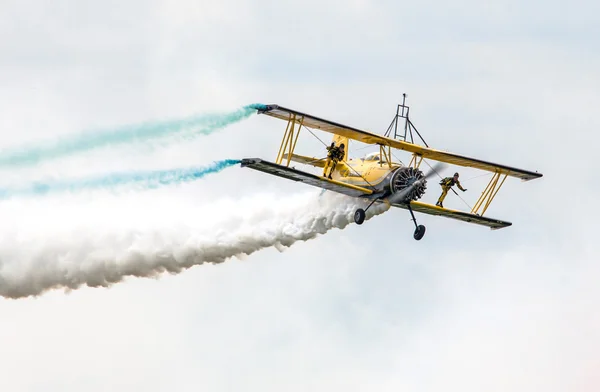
pixel 147 180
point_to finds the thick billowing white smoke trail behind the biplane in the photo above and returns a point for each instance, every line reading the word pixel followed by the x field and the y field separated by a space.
pixel 47 247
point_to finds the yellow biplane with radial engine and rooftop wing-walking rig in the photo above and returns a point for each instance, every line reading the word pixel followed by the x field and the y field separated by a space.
pixel 376 177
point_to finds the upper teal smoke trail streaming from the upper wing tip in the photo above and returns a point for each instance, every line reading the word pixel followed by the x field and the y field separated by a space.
pixel 198 125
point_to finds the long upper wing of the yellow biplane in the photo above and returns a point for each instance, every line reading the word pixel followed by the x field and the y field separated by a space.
pixel 371 138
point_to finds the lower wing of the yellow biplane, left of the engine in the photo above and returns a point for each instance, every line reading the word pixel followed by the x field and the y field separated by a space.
pixel 307 178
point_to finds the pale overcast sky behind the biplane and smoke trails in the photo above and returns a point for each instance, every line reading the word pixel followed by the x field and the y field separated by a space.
pixel 361 309
